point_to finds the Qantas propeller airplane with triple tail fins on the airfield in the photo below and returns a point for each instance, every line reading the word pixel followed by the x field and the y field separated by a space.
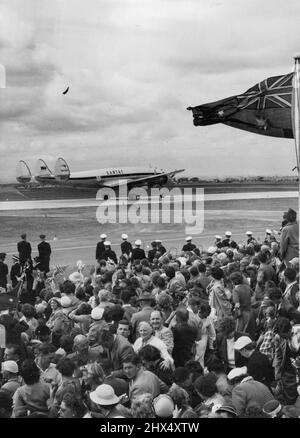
pixel 109 177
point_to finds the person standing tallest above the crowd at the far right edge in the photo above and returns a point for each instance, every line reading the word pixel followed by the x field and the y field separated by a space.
pixel 289 239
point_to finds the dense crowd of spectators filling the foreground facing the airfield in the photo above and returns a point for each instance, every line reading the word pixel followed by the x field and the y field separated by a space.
pixel 185 334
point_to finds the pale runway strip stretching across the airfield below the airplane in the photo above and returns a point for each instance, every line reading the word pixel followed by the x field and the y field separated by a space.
pixel 77 203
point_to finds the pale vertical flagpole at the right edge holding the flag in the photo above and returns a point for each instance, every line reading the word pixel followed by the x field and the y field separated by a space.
pixel 296 123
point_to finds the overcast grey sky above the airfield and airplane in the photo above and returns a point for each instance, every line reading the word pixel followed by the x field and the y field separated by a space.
pixel 133 66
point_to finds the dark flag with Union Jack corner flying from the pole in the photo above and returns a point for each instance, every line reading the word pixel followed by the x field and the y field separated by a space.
pixel 266 108
